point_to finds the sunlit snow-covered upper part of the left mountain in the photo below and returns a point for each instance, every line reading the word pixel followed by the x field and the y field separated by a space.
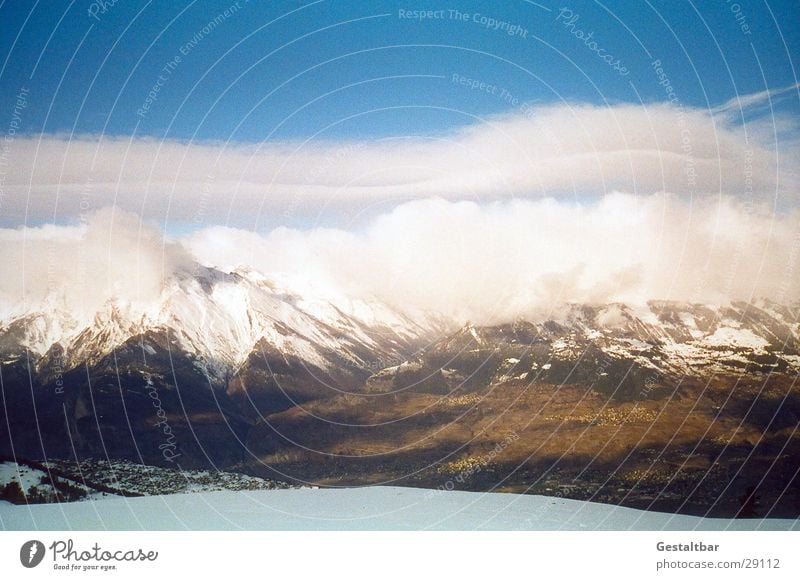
pixel 219 317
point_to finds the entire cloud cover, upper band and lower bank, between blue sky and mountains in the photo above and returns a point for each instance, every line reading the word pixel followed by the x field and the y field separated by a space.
pixel 500 219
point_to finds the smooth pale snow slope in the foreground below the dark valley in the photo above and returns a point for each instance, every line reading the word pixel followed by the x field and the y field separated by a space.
pixel 368 508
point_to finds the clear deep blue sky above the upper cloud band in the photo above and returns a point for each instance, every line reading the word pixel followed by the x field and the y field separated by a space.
pixel 247 77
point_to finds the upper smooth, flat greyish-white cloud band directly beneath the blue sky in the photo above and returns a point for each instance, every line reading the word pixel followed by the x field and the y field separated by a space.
pixel 564 150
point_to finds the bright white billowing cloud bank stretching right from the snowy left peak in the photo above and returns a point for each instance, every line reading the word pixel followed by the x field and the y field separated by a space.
pixel 500 261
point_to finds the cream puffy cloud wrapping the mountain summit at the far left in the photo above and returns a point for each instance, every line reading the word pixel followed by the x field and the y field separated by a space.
pixel 79 268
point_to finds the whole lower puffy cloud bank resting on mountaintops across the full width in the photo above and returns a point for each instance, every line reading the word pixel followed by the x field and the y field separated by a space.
pixel 481 262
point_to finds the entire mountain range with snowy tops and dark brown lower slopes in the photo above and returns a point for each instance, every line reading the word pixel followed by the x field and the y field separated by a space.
pixel 278 378
